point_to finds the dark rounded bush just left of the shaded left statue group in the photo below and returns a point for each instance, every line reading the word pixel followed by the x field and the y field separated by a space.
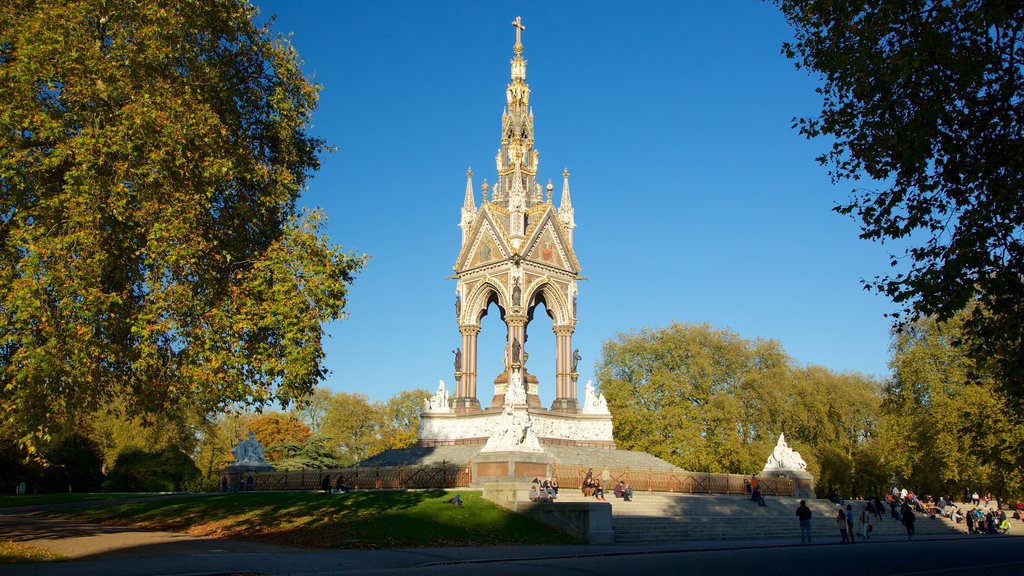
pixel 167 470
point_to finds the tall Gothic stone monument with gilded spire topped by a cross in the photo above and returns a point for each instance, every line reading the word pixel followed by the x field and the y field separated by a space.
pixel 518 254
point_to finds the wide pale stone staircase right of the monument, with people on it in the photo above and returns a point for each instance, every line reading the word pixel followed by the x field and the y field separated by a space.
pixel 662 518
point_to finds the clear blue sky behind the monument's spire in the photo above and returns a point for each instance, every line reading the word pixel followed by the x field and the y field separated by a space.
pixel 696 200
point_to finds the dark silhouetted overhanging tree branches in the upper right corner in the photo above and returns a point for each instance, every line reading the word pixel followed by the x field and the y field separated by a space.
pixel 926 98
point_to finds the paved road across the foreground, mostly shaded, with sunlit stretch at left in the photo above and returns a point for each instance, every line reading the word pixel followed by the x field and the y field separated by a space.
pixel 118 552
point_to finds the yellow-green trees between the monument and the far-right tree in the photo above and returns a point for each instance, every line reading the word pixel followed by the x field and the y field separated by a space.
pixel 708 400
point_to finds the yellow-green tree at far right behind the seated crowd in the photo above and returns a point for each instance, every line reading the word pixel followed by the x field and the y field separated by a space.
pixel 947 427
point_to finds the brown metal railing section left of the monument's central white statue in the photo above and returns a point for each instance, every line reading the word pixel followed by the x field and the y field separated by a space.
pixel 446 475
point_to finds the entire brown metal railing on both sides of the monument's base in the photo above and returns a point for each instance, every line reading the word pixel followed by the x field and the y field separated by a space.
pixel 449 475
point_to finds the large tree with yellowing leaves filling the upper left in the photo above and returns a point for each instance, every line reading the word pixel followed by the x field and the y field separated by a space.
pixel 151 158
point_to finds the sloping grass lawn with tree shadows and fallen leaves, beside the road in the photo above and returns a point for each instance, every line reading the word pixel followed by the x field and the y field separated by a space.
pixel 315 520
